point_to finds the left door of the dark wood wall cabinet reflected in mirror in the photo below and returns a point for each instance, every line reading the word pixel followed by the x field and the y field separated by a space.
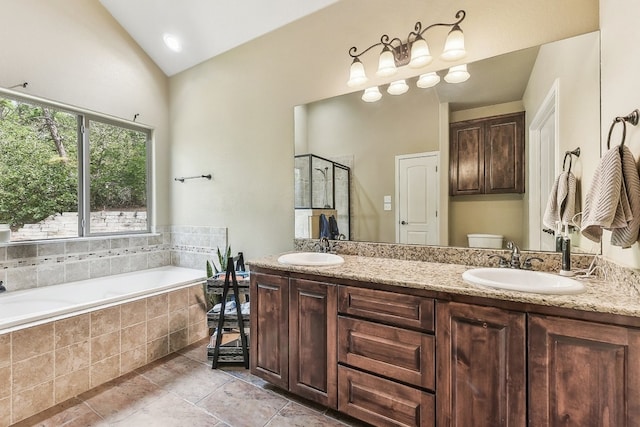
pixel 466 154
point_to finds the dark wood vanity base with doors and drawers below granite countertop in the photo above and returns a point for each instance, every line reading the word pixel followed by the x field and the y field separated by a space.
pixel 394 356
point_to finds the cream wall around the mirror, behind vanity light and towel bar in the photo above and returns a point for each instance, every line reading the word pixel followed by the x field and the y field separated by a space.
pixel 233 115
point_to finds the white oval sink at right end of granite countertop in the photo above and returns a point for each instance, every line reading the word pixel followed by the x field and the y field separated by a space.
pixel 523 281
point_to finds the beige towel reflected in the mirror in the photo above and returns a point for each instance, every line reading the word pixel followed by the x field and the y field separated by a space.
pixel 561 206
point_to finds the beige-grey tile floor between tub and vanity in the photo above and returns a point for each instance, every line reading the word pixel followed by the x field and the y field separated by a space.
pixel 182 390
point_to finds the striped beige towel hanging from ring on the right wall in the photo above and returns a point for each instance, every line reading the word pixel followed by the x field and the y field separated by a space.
pixel 613 201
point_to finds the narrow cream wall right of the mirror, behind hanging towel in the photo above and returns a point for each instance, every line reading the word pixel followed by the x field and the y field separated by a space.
pixel 620 89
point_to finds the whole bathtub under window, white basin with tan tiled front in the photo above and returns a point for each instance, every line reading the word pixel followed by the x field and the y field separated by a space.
pixel 60 341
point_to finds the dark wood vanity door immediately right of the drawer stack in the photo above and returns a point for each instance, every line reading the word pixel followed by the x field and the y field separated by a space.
pixel 480 366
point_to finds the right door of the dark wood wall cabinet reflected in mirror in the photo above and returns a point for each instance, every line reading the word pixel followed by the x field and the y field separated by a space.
pixel 504 154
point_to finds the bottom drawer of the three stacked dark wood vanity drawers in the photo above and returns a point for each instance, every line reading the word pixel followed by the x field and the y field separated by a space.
pixel 381 402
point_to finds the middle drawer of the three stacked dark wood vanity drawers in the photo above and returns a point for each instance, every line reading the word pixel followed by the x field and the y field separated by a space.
pixel 403 355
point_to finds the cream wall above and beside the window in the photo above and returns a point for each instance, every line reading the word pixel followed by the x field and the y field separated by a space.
pixel 73 51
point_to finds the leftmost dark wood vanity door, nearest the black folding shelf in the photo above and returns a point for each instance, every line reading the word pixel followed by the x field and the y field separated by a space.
pixel 269 328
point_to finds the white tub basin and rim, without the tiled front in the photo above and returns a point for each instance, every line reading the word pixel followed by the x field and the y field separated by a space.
pixel 30 307
